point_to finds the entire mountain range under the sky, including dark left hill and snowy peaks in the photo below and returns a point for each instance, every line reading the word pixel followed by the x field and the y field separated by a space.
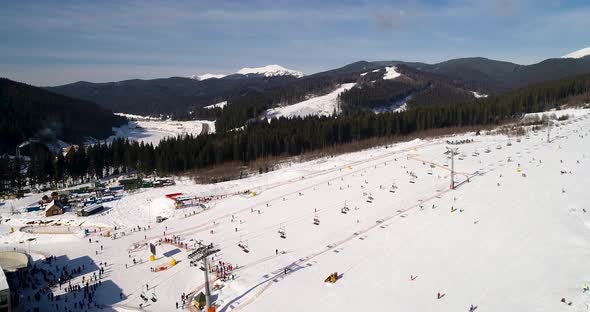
pixel 76 111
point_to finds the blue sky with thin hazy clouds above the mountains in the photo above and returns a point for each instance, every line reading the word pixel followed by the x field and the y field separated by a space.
pixel 57 42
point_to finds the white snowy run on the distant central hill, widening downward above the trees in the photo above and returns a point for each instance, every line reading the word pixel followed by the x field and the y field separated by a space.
pixel 324 105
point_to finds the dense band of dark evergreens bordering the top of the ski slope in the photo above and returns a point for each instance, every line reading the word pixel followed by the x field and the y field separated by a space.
pixel 285 136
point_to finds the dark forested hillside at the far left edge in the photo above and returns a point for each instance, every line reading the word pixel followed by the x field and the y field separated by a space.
pixel 28 112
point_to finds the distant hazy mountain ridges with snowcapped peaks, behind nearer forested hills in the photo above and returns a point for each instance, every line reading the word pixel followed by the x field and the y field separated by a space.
pixel 175 95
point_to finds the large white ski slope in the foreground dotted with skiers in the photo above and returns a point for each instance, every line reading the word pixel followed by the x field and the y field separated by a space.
pixel 514 243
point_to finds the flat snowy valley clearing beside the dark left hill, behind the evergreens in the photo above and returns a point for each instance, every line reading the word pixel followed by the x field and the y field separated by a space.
pixel 153 131
